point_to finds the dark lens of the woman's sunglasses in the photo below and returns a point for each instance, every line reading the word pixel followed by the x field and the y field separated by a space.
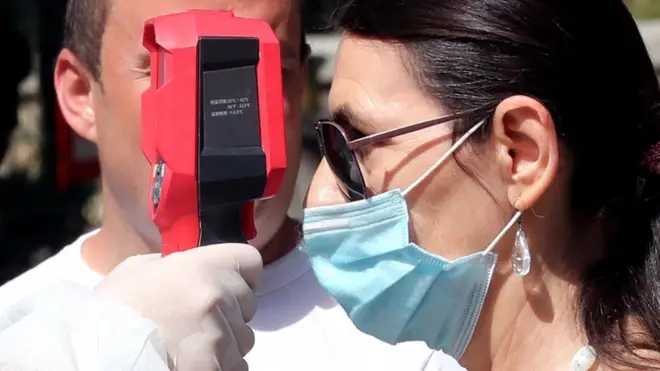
pixel 342 161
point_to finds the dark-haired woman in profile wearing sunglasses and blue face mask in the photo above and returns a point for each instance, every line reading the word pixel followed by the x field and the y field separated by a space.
pixel 490 180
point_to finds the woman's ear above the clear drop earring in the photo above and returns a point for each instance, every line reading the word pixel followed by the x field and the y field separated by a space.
pixel 527 149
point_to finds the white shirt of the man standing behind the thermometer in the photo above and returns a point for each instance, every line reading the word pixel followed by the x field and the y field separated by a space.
pixel 298 327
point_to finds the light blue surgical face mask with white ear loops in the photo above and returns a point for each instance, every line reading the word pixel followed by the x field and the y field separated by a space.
pixel 391 288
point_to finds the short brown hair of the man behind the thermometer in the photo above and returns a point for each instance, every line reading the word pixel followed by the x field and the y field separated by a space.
pixel 84 27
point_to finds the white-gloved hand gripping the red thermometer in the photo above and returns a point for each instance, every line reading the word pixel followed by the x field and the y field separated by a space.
pixel 201 300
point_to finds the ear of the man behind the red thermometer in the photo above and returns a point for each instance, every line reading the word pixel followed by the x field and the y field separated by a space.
pixel 73 85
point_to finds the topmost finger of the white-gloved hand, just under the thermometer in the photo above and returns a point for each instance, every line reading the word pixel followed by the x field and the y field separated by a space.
pixel 244 259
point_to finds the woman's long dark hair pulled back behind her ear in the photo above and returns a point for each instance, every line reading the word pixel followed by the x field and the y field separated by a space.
pixel 586 62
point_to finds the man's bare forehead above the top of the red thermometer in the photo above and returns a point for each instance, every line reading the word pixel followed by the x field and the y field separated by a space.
pixel 127 17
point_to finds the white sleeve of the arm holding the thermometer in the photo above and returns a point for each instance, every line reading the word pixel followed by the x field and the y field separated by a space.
pixel 69 328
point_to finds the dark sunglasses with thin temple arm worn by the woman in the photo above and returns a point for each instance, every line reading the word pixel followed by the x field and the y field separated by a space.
pixel 339 150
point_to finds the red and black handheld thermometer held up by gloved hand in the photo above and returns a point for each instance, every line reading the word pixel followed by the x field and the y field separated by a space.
pixel 212 125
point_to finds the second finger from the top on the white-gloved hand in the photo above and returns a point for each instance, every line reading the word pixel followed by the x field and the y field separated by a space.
pixel 240 299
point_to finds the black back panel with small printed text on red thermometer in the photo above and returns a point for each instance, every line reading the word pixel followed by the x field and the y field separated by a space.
pixel 231 162
